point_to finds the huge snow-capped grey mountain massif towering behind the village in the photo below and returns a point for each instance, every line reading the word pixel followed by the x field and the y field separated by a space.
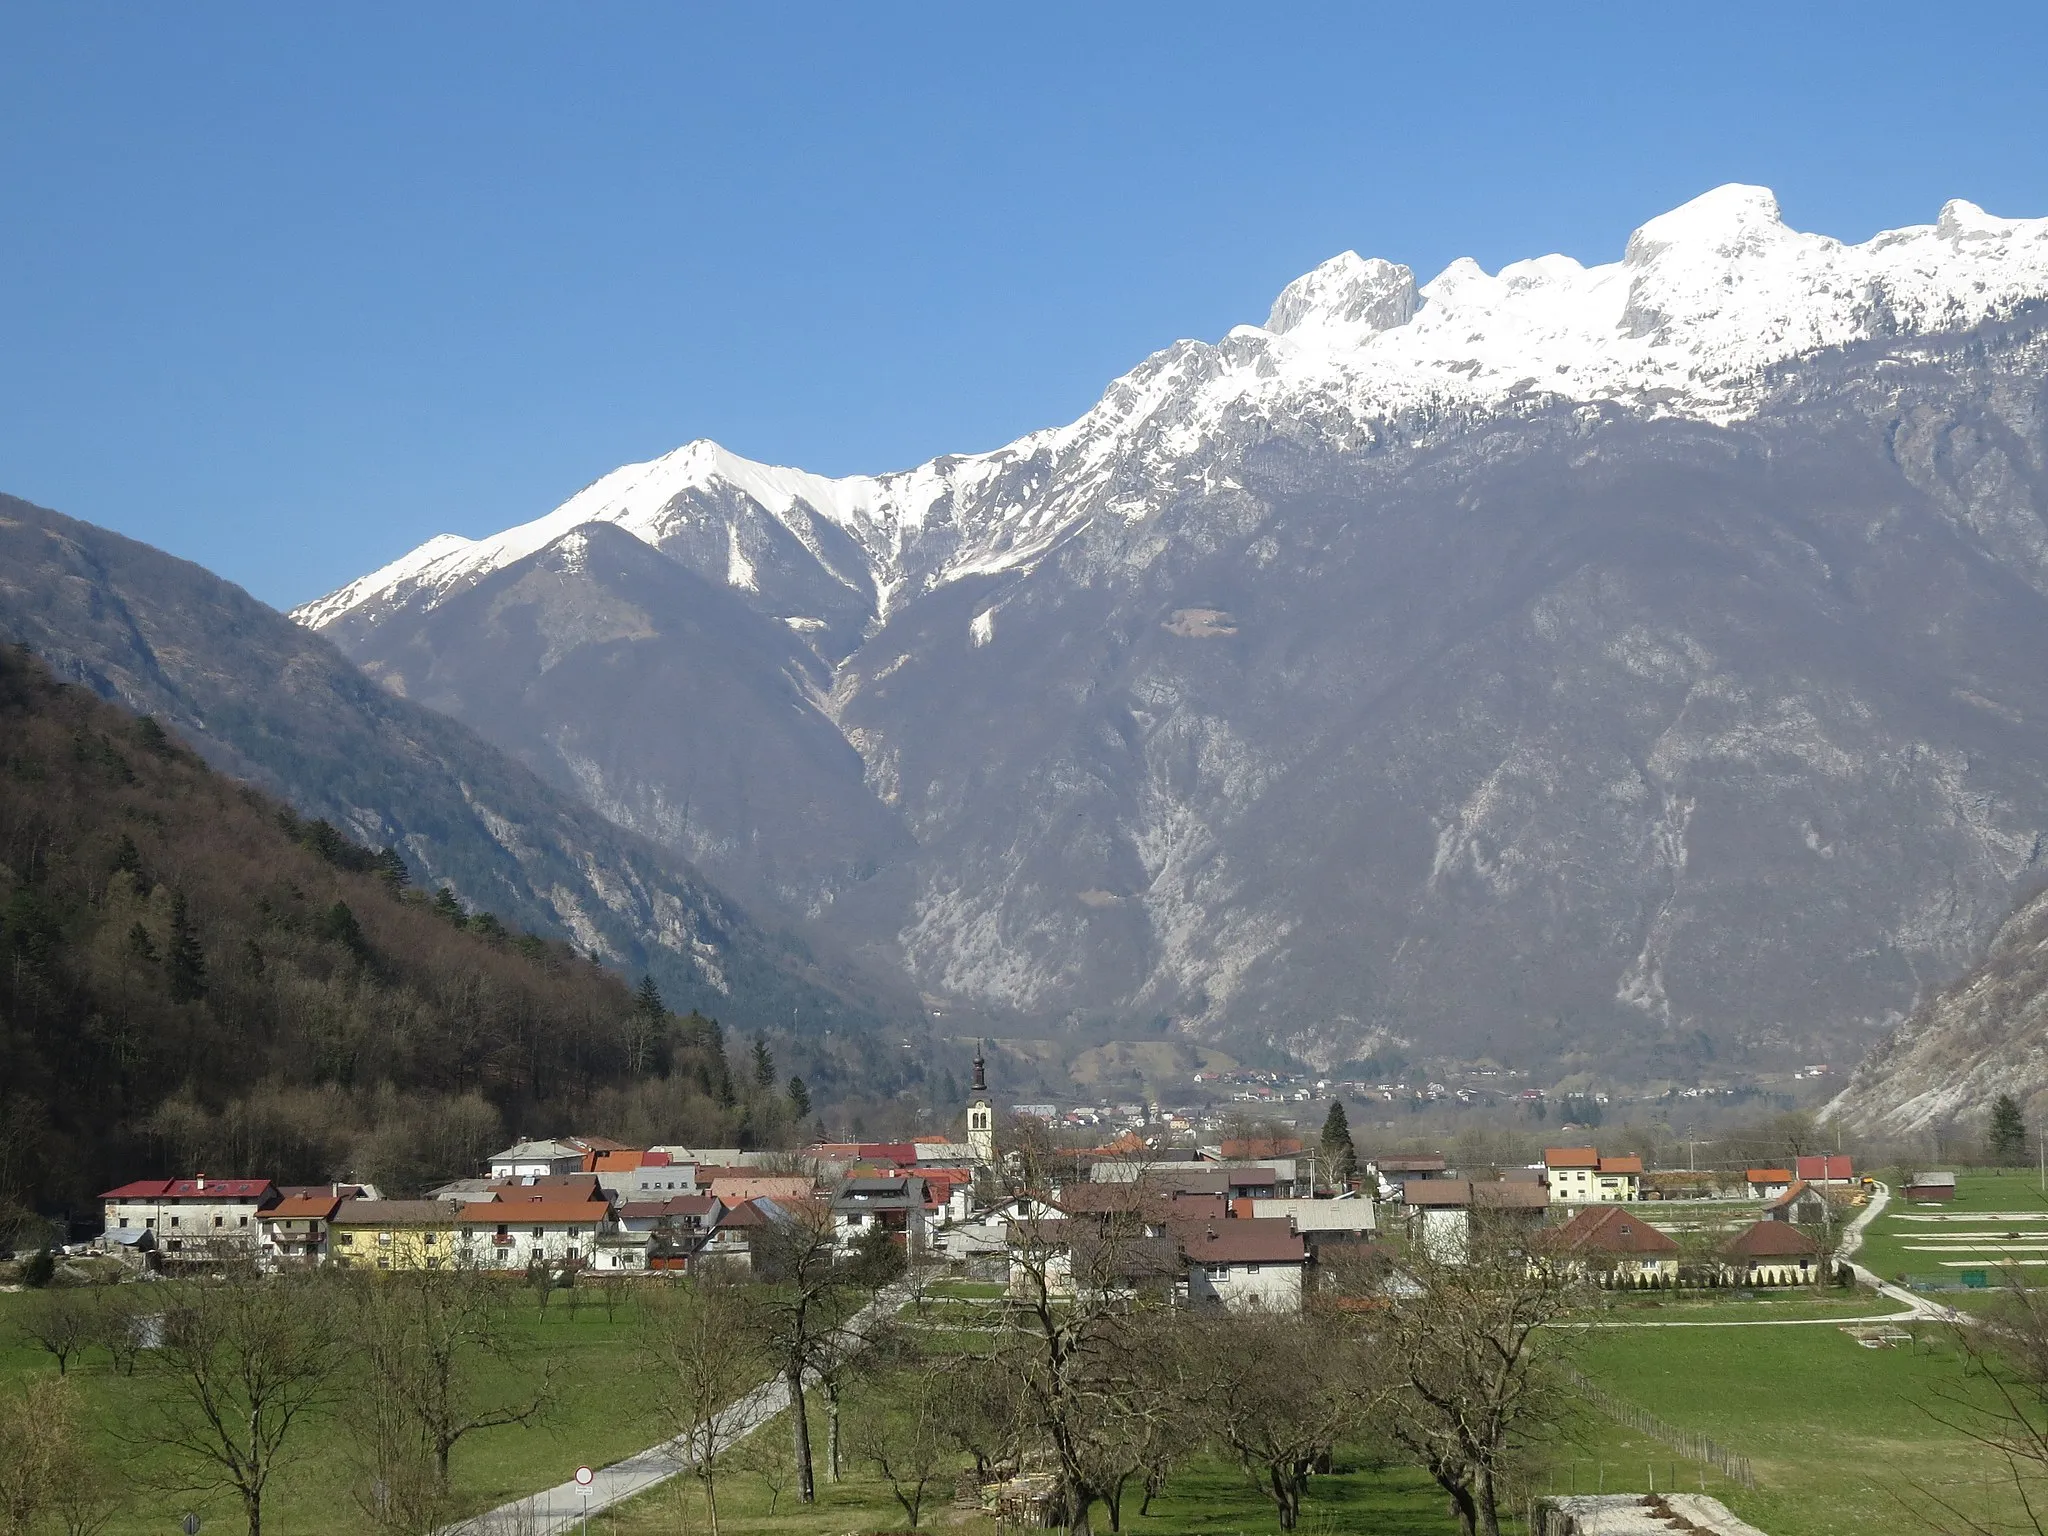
pixel 1607 669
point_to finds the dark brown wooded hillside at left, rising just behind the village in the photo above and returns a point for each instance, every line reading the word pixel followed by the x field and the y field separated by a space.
pixel 191 978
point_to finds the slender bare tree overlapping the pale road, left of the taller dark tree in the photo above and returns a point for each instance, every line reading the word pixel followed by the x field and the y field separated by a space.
pixel 703 1361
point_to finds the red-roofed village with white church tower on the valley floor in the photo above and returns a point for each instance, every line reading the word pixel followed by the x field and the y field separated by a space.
pixel 1250 1218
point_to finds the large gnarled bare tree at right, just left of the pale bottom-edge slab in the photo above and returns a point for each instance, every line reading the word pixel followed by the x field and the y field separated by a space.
pixel 1476 1375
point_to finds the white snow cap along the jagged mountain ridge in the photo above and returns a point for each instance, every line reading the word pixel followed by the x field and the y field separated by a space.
pixel 1703 300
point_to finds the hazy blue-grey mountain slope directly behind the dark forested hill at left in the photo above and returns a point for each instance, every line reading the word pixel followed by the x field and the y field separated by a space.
pixel 278 708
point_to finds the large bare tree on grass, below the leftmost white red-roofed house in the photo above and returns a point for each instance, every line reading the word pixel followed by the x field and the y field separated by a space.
pixel 239 1369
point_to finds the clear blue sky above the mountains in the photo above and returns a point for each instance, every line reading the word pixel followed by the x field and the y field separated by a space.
pixel 288 292
